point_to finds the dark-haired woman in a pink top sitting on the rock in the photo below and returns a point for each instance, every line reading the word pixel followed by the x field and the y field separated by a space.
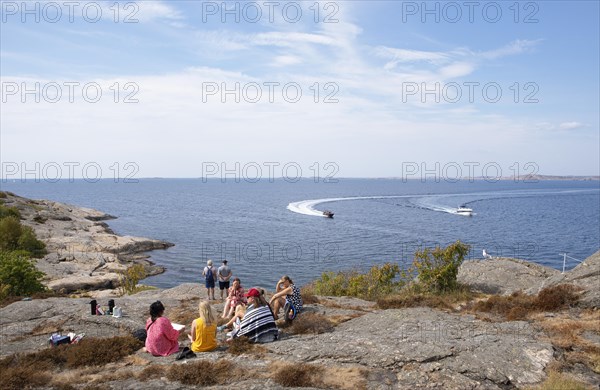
pixel 161 339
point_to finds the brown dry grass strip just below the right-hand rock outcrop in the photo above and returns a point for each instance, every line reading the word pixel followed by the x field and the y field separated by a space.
pixel 519 306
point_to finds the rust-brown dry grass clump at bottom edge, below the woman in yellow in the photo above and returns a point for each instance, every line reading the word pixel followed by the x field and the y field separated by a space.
pixel 205 373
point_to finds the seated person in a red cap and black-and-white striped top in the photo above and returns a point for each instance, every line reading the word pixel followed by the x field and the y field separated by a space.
pixel 258 323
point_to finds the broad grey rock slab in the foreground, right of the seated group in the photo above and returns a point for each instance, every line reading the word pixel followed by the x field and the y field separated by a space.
pixel 450 350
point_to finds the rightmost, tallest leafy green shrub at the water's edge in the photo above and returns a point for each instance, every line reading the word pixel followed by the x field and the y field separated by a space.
pixel 437 269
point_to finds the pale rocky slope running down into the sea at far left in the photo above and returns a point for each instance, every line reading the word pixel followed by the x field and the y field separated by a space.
pixel 83 252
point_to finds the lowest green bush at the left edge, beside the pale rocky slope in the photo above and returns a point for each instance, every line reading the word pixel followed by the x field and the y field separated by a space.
pixel 18 275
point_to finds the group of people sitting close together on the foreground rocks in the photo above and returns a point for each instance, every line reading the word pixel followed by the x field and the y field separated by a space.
pixel 251 316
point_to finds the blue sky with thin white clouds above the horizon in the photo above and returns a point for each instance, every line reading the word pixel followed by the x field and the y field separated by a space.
pixel 275 88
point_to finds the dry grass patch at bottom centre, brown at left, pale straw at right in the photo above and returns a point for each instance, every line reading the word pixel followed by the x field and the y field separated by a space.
pixel 310 375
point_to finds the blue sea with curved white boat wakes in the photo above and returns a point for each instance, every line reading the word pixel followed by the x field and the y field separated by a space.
pixel 268 229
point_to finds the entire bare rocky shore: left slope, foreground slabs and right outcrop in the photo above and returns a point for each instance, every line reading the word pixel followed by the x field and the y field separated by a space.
pixel 363 346
